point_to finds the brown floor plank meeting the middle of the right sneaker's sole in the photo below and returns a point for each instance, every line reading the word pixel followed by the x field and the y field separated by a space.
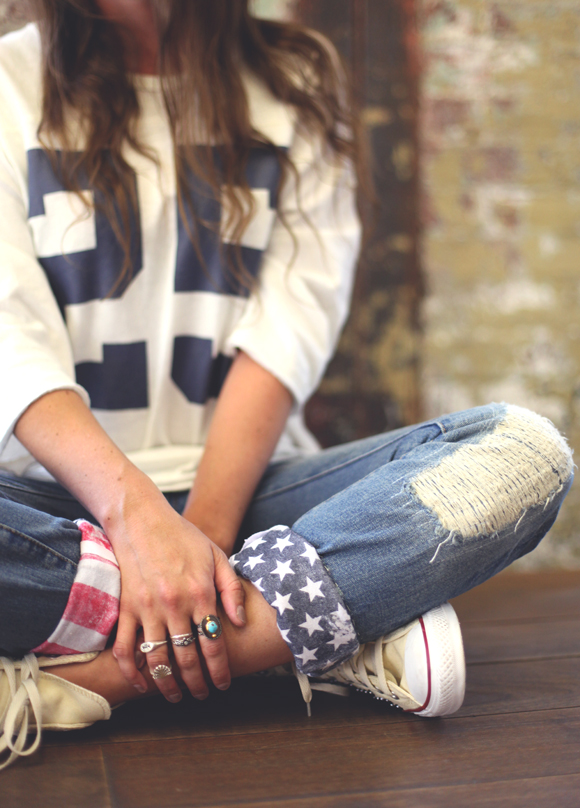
pixel 502 641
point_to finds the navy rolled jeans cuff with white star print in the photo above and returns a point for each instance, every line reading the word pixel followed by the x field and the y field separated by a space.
pixel 312 617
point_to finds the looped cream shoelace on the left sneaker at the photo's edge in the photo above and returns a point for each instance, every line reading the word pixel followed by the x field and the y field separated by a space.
pixel 14 720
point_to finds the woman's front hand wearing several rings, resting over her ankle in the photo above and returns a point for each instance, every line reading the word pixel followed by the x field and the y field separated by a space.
pixel 170 573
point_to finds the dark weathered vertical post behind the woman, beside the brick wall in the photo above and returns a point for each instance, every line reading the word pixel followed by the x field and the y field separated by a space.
pixel 373 383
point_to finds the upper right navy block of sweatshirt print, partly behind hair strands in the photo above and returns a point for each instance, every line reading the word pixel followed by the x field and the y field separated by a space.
pixel 212 274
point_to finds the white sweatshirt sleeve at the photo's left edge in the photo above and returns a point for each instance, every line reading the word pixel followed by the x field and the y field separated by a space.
pixel 35 352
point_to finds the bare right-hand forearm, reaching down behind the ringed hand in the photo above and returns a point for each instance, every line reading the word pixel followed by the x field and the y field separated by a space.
pixel 250 415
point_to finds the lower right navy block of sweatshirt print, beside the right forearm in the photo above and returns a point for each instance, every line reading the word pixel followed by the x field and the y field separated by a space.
pixel 198 375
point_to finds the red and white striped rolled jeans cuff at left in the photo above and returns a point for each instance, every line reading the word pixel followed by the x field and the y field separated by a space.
pixel 93 605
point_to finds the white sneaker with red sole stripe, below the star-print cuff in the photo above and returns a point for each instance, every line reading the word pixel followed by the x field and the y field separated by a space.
pixel 419 667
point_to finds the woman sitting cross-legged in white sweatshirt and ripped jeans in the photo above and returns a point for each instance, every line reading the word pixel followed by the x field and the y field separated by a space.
pixel 177 246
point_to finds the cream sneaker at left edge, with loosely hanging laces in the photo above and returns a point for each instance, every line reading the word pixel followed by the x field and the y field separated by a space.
pixel 32 700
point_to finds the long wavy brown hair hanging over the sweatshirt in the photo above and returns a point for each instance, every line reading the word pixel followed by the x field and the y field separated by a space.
pixel 204 43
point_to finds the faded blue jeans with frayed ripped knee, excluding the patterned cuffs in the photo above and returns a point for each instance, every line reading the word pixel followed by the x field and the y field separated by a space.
pixel 402 521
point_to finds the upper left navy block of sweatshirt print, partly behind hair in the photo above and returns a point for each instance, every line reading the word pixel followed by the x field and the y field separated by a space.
pixel 90 274
